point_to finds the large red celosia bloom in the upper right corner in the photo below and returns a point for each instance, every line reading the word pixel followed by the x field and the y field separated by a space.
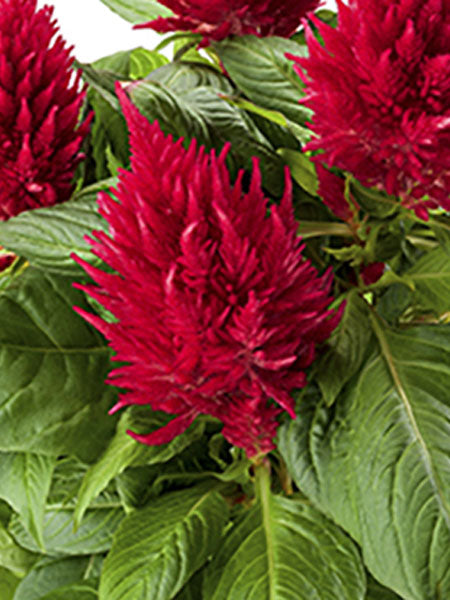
pixel 380 91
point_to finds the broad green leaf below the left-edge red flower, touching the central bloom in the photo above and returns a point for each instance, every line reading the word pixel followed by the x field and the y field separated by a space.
pixel 48 236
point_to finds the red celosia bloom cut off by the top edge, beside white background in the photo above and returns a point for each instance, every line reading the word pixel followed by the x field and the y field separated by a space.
pixel 217 19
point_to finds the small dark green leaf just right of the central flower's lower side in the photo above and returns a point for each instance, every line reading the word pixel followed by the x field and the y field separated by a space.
pixel 348 346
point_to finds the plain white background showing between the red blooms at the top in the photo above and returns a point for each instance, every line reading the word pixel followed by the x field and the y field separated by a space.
pixel 96 31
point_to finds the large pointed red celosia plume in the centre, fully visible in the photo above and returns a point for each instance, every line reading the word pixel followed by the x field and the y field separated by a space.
pixel 217 312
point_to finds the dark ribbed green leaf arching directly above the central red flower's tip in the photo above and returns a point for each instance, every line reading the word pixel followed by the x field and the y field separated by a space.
pixel 201 113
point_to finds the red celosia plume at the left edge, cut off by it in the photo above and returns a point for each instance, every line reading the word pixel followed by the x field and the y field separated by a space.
pixel 39 107
